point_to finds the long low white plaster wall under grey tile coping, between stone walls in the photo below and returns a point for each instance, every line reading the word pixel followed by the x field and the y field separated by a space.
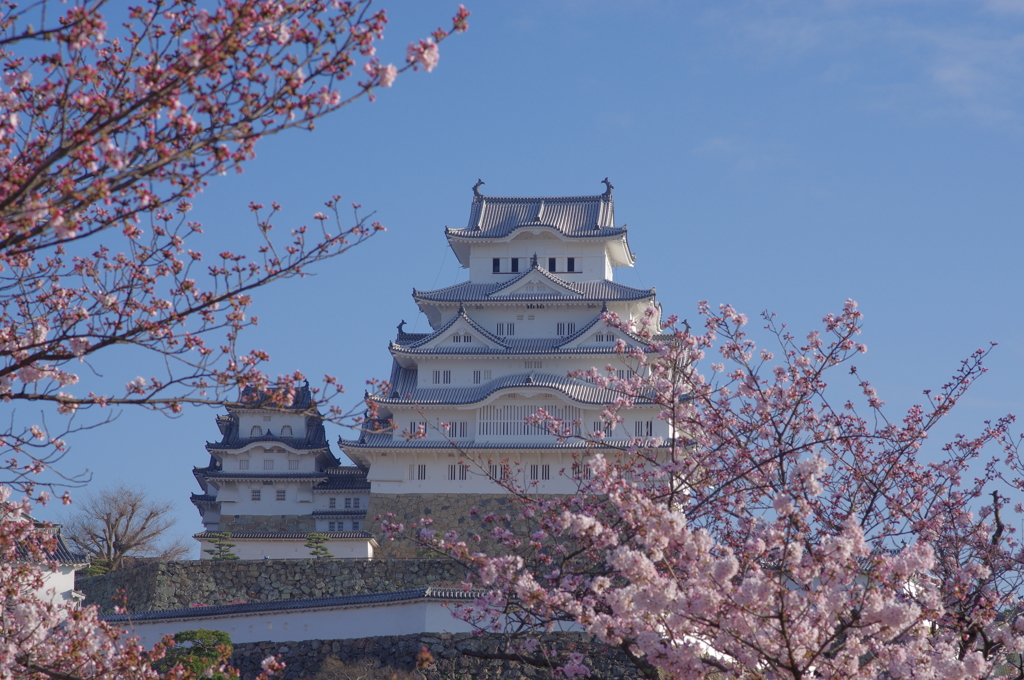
pixel 322 624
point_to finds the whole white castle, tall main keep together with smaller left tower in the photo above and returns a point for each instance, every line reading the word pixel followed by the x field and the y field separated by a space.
pixel 502 346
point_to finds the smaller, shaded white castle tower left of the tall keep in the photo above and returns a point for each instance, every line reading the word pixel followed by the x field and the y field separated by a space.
pixel 272 481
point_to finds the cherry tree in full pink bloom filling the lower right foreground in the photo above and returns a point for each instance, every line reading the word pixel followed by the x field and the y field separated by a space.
pixel 785 531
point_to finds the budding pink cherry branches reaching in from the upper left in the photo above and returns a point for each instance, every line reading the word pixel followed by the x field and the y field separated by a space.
pixel 108 129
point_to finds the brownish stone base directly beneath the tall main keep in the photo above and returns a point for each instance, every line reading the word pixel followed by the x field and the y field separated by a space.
pixel 450 512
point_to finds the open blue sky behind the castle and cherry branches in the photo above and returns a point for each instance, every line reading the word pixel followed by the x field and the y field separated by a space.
pixel 781 156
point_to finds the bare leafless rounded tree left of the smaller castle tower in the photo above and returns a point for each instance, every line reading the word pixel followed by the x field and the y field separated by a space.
pixel 122 522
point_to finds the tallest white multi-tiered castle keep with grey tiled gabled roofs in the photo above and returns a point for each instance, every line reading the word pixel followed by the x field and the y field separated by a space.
pixel 503 346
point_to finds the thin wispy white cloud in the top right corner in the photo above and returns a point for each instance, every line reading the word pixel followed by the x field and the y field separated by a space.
pixel 933 58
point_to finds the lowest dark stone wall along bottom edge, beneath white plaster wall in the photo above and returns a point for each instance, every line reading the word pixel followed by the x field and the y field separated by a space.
pixel 304 659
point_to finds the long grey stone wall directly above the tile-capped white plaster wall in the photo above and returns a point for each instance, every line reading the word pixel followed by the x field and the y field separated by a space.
pixel 182 584
